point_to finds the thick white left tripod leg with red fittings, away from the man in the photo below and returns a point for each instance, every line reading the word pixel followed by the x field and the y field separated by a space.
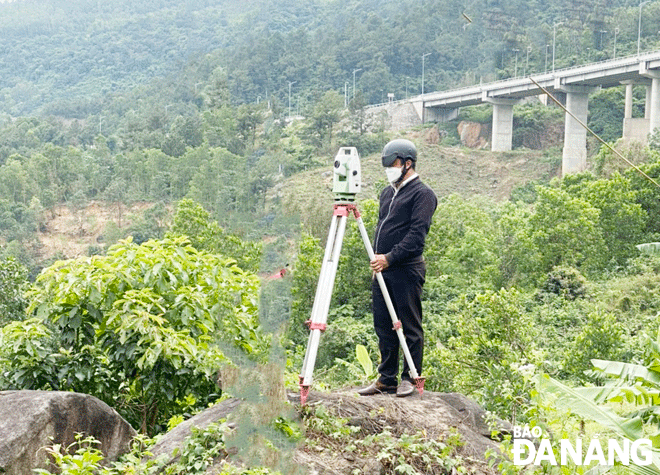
pixel 322 299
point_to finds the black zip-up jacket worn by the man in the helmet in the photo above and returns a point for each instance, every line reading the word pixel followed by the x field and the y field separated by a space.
pixel 404 219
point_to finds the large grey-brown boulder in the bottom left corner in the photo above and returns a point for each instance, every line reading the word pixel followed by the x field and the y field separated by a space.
pixel 31 420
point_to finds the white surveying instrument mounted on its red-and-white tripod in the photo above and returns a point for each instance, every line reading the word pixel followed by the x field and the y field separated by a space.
pixel 346 183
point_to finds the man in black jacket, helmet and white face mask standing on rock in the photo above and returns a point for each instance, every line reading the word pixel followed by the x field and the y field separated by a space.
pixel 404 219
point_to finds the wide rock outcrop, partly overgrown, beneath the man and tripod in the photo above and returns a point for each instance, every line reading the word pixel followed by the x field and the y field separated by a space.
pixel 438 415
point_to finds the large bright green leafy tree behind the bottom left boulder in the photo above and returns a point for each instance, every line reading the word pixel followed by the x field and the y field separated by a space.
pixel 143 328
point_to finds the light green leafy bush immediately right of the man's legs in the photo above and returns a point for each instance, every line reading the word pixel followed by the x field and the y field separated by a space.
pixel 495 340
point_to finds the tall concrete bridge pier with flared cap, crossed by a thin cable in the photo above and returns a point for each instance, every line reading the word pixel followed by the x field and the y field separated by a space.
pixel 574 155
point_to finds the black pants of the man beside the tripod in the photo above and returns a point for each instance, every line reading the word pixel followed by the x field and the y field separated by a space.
pixel 404 284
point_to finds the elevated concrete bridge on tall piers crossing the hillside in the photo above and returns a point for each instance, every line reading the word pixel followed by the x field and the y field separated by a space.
pixel 572 84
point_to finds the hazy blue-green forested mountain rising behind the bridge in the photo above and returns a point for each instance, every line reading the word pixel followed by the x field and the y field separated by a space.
pixel 66 57
